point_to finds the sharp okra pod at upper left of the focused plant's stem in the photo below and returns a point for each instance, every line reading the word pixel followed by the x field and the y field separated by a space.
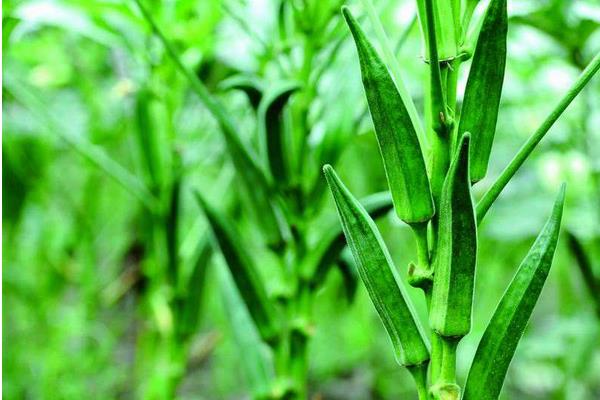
pixel 398 142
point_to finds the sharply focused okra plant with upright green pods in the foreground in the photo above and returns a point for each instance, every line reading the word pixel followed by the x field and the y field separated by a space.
pixel 432 191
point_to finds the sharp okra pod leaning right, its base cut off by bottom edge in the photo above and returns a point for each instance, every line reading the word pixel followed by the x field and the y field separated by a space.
pixel 500 339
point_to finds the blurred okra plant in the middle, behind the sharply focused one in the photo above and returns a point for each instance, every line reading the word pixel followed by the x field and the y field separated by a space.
pixel 279 178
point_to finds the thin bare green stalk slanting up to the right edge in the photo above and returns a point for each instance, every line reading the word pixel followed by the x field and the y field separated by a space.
pixel 493 192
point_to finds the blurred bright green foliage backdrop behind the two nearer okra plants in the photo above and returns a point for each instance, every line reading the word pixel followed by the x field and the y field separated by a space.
pixel 82 79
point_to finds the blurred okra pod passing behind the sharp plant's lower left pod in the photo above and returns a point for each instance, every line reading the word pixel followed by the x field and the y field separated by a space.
pixel 329 246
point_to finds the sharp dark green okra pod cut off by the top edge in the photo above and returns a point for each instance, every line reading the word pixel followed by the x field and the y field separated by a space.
pixel 484 87
